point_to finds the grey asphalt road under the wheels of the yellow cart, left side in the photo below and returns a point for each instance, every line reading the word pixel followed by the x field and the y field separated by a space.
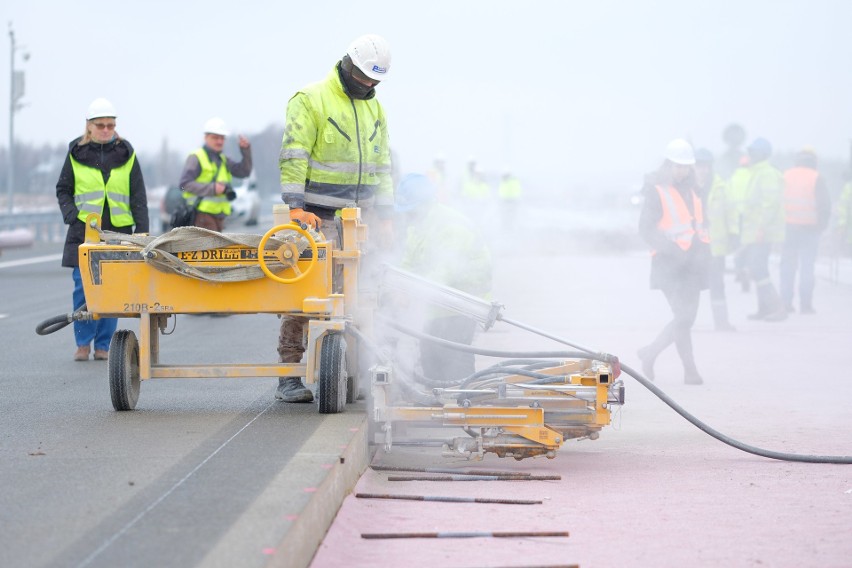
pixel 210 472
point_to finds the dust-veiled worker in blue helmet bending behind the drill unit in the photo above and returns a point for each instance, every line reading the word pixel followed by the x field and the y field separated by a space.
pixel 441 245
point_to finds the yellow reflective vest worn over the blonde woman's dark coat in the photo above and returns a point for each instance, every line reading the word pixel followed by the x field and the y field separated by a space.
pixel 90 191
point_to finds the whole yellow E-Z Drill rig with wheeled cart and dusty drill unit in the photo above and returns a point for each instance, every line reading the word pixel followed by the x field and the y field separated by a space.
pixel 528 404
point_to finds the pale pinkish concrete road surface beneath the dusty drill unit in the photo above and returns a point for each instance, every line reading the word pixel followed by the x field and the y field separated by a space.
pixel 653 490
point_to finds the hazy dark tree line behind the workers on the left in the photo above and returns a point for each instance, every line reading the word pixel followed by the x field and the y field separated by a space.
pixel 37 167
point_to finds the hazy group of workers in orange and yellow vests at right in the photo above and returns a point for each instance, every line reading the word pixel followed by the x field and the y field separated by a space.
pixel 693 219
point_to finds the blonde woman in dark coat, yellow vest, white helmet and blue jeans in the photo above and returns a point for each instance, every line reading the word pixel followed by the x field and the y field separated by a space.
pixel 100 175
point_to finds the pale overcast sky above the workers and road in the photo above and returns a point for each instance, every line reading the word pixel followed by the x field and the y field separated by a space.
pixel 559 90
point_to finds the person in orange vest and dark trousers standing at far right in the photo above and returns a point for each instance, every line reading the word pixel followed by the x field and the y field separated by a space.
pixel 807 209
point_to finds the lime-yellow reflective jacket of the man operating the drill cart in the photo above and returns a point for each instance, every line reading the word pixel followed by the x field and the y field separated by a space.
pixel 335 150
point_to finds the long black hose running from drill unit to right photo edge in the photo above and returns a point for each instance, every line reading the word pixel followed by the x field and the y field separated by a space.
pixel 783 456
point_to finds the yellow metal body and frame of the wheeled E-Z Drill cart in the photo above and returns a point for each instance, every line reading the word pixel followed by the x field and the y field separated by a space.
pixel 119 283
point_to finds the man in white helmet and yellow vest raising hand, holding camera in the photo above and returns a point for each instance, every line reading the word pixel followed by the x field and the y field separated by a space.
pixel 207 174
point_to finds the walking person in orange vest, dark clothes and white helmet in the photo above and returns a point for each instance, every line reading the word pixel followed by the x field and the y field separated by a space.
pixel 672 224
